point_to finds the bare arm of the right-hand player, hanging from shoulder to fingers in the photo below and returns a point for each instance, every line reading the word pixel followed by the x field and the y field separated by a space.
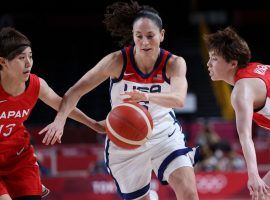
pixel 242 98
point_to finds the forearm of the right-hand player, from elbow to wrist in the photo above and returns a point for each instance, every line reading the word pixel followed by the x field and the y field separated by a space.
pixel 250 155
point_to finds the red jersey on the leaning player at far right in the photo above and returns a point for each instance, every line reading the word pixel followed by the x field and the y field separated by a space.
pixel 261 71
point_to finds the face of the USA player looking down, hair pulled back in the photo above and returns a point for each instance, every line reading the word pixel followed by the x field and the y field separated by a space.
pixel 147 36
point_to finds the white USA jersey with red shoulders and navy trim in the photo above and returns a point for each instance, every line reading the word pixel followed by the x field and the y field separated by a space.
pixel 132 78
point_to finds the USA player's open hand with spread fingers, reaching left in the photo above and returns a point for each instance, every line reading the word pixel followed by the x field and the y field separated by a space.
pixel 53 132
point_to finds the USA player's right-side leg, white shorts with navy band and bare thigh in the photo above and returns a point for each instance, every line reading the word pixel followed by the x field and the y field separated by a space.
pixel 173 164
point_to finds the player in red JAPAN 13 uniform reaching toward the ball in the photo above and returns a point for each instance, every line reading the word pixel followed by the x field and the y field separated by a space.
pixel 19 92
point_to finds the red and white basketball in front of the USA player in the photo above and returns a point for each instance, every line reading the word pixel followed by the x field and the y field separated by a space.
pixel 129 125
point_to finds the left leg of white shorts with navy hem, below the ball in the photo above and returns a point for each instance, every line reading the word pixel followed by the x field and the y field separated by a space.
pixel 132 178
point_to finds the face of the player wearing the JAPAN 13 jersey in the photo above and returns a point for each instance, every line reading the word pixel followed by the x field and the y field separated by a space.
pixel 20 66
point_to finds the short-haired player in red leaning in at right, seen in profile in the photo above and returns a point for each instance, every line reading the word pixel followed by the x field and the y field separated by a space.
pixel 230 61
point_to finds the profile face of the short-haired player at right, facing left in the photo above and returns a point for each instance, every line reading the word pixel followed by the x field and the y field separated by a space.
pixel 217 66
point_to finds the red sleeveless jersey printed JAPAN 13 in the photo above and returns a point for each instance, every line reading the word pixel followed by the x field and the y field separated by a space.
pixel 14 110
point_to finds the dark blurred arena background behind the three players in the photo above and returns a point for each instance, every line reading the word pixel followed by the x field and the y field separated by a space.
pixel 68 39
